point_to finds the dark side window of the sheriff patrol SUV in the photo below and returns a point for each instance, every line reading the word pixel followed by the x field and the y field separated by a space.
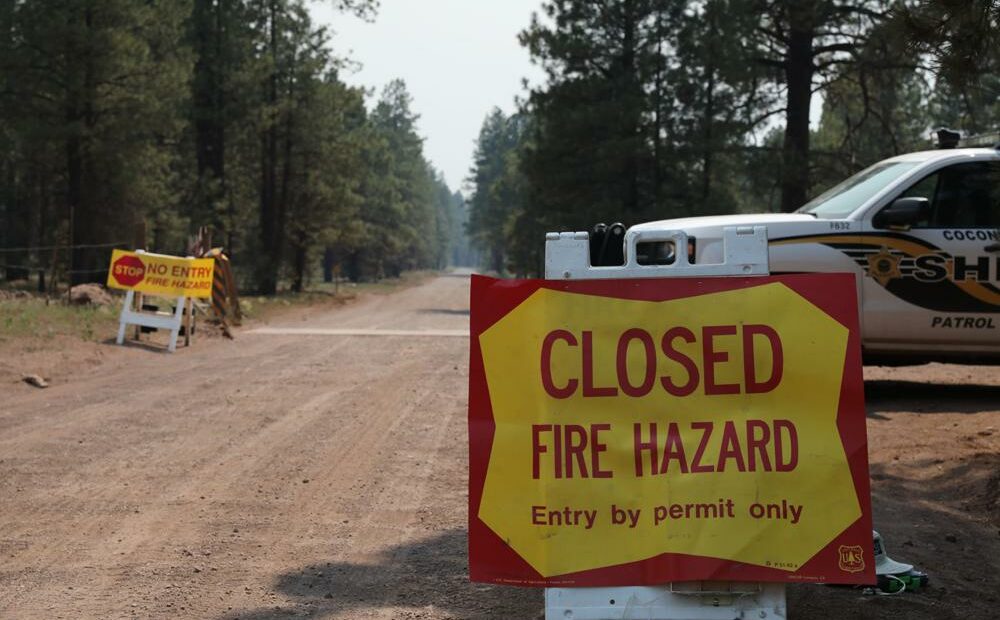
pixel 961 196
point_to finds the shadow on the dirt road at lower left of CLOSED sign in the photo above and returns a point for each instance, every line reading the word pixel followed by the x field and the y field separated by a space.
pixel 432 573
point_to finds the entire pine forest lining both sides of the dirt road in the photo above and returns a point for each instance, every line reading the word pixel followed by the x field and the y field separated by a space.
pixel 120 116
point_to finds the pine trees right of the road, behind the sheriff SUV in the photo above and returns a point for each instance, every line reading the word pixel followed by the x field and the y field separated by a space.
pixel 652 109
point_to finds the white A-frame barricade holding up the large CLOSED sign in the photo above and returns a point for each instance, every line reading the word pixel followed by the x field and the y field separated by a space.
pixel 567 257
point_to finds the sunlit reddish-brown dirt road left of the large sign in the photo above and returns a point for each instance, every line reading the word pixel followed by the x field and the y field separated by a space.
pixel 134 502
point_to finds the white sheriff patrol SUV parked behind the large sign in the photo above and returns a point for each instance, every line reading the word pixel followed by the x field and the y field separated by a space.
pixel 920 231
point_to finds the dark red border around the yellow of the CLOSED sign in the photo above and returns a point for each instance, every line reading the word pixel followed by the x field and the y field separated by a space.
pixel 491 560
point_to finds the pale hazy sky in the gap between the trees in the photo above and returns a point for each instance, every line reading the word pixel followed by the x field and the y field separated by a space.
pixel 459 58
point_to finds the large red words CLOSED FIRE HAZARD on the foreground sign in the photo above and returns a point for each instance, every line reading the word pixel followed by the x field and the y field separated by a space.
pixel 665 446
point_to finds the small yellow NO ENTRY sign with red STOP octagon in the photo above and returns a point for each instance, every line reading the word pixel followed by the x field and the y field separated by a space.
pixel 159 274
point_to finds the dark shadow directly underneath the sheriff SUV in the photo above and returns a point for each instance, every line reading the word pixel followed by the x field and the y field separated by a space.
pixel 918 397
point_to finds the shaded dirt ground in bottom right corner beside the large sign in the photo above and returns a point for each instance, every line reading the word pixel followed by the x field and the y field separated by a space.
pixel 945 520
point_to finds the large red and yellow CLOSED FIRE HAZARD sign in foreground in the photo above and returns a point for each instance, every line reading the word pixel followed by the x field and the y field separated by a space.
pixel 636 432
